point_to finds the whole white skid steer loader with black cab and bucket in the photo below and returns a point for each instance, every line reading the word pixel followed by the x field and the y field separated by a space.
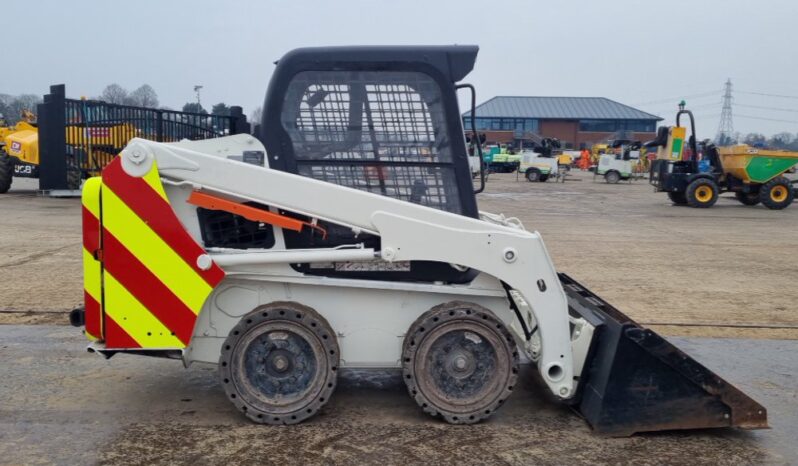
pixel 352 239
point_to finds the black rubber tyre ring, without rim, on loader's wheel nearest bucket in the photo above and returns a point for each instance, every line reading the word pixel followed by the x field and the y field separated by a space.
pixel 442 314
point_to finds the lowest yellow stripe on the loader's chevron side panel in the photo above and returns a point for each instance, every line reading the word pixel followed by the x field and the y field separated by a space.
pixel 135 319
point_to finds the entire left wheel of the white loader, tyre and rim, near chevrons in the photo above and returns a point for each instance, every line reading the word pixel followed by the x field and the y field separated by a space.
pixel 279 364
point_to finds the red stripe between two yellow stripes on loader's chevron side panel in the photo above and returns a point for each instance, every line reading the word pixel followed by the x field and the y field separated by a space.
pixel 147 288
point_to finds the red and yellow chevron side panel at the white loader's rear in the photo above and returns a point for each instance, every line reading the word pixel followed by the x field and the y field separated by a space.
pixel 152 287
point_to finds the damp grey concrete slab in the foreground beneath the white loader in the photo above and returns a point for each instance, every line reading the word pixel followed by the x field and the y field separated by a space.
pixel 59 404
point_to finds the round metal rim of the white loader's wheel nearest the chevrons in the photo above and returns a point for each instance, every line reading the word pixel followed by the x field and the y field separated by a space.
pixel 283 366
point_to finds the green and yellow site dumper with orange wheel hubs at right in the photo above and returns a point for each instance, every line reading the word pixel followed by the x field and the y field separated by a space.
pixel 696 174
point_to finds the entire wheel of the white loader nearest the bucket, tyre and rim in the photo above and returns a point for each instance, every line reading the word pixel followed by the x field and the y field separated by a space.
pixel 459 362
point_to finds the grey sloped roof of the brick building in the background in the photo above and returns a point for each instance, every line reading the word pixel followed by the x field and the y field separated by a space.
pixel 559 108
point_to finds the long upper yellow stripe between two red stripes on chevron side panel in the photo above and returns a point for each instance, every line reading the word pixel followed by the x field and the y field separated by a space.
pixel 153 252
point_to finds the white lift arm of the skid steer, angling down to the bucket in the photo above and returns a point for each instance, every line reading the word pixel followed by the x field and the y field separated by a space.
pixel 408 231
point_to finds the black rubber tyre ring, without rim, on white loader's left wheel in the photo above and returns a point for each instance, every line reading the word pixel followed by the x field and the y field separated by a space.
pixel 281 312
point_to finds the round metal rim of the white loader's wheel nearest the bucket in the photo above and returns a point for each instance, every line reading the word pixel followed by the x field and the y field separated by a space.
pixel 462 367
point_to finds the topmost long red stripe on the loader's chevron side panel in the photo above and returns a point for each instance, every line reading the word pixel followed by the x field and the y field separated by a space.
pixel 159 216
